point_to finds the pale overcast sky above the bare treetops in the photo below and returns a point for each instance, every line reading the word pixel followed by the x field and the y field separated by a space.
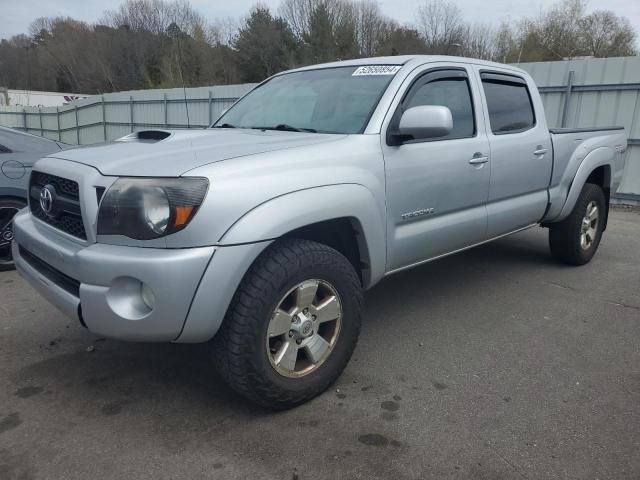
pixel 16 15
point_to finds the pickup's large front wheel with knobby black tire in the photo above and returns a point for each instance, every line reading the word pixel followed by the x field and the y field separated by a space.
pixel 247 346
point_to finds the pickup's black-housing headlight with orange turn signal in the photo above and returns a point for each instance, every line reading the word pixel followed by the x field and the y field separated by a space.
pixel 147 208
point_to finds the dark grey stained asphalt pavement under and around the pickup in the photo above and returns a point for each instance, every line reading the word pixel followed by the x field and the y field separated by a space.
pixel 493 364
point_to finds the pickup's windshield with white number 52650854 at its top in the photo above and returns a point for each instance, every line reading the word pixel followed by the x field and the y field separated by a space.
pixel 330 100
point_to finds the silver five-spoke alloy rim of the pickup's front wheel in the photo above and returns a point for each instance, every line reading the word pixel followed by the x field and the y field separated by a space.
pixel 304 328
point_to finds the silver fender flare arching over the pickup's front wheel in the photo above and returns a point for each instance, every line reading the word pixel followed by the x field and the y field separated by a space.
pixel 283 214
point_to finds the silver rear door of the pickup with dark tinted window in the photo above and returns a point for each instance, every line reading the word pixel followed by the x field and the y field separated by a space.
pixel 521 154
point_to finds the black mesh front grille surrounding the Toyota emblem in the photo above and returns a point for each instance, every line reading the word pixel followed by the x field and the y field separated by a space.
pixel 66 214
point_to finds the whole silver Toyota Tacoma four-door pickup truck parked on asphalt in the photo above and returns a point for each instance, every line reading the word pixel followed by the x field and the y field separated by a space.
pixel 261 233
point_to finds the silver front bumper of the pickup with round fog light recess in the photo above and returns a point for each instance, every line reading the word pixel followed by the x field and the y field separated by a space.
pixel 100 284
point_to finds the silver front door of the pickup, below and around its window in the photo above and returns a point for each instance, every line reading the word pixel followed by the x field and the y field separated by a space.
pixel 437 189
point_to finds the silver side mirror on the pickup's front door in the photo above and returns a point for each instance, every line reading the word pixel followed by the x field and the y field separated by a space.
pixel 426 121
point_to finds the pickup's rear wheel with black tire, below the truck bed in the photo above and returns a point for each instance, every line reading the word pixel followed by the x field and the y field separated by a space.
pixel 575 239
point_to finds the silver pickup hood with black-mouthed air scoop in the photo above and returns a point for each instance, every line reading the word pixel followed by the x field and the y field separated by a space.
pixel 167 153
